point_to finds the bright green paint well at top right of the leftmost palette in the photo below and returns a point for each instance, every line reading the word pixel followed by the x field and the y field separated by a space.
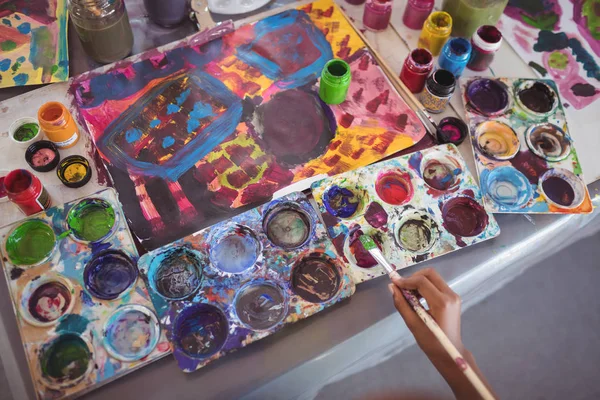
pixel 91 220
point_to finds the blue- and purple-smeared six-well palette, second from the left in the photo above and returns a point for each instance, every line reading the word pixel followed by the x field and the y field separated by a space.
pixel 243 279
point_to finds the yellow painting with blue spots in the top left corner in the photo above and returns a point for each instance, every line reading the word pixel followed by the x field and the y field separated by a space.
pixel 33 42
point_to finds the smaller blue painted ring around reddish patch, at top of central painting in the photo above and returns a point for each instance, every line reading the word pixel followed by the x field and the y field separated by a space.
pixel 271 69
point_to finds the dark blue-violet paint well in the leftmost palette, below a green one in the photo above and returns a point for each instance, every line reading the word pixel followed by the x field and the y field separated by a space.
pixel 109 274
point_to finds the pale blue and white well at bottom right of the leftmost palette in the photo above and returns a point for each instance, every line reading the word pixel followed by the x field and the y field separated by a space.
pixel 131 333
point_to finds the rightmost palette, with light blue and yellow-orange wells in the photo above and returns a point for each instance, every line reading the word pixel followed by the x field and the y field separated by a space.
pixel 524 154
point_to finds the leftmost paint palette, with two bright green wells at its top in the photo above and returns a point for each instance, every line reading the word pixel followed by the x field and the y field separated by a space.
pixel 84 316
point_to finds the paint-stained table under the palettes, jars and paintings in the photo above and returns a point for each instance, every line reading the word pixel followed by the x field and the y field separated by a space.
pixel 361 332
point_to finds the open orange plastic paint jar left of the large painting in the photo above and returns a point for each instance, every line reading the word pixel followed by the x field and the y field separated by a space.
pixel 57 123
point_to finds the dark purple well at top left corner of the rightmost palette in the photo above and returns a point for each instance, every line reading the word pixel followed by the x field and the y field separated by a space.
pixel 488 97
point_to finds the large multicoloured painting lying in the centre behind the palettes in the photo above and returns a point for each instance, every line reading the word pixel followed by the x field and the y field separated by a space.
pixel 191 132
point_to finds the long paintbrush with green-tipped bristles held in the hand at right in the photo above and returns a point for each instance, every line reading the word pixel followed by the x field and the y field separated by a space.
pixel 411 297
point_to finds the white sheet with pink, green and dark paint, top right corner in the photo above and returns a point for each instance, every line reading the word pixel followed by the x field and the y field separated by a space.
pixel 560 39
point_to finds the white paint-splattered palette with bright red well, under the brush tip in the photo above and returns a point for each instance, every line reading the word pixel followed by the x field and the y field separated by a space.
pixel 416 207
